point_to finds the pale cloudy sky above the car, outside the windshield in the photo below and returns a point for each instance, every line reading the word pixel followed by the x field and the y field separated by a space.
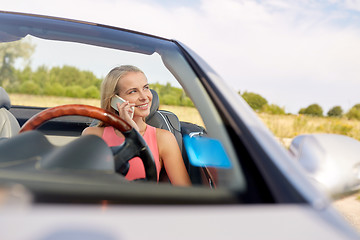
pixel 293 53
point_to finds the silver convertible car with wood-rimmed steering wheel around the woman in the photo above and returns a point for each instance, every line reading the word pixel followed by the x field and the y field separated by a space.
pixel 57 184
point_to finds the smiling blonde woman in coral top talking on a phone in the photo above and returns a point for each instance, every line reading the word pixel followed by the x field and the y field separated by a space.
pixel 130 83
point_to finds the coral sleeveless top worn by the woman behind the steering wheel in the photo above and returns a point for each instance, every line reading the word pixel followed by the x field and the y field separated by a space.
pixel 136 169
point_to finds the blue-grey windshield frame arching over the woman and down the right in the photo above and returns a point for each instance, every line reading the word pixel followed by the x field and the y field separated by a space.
pixel 122 39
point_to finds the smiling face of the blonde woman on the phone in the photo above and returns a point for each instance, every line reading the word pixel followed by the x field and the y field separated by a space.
pixel 135 89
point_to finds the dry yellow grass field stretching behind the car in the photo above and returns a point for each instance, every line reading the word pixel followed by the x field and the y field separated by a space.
pixel 283 126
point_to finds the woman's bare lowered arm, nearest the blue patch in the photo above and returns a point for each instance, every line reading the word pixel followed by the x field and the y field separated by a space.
pixel 170 155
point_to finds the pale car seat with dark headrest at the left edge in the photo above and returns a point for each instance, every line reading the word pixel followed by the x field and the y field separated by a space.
pixel 9 126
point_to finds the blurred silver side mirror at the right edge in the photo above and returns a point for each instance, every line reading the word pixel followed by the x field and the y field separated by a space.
pixel 332 161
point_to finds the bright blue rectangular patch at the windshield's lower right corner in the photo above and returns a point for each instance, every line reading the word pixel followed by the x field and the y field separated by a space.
pixel 199 154
